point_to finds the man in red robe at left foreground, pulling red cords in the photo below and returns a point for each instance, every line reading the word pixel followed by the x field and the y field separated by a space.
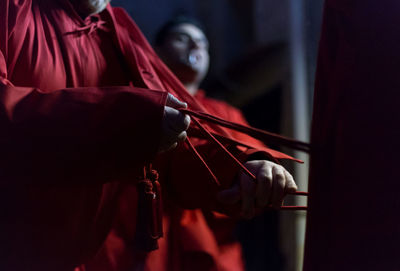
pixel 83 109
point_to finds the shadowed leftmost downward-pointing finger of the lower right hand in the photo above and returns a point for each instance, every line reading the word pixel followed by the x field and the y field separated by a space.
pixel 248 191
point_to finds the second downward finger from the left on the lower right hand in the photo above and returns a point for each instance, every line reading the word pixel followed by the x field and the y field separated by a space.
pixel 264 185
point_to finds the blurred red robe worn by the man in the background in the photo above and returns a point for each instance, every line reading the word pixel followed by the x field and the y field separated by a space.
pixel 195 239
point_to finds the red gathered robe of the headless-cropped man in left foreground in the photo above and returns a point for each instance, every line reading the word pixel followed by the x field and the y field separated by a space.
pixel 71 129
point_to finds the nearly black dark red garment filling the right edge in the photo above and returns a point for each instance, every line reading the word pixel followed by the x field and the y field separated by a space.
pixel 353 211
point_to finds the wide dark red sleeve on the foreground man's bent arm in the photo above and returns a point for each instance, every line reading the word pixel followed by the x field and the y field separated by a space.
pixel 76 134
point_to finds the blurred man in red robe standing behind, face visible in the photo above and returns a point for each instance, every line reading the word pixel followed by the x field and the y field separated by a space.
pixel 197 239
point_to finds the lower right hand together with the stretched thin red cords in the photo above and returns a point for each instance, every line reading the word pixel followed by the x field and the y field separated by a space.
pixel 261 183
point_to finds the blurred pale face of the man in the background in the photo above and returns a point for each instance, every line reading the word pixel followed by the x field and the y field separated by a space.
pixel 185 51
